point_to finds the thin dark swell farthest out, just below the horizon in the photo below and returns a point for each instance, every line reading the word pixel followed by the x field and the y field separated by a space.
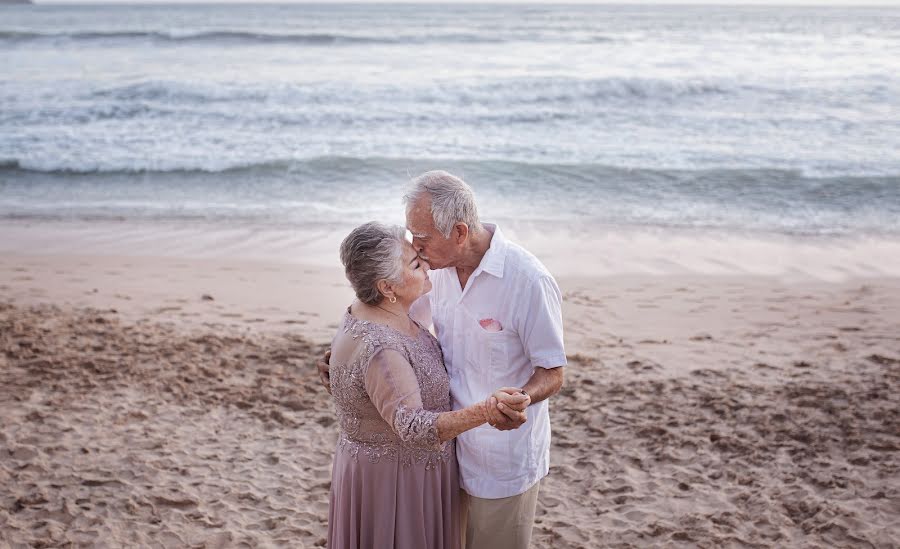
pixel 247 37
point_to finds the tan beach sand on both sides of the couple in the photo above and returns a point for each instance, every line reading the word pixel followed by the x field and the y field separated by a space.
pixel 164 401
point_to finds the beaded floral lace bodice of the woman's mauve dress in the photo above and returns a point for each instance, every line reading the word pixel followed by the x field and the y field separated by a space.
pixel 363 431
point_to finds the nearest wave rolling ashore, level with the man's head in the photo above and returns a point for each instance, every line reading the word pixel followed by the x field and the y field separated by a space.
pixel 301 190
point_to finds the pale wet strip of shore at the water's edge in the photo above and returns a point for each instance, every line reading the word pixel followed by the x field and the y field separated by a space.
pixel 577 251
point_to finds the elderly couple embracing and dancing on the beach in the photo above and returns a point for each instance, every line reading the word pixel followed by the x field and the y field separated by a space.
pixel 402 396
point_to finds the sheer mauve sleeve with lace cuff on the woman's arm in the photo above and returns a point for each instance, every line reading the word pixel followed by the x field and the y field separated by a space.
pixel 394 390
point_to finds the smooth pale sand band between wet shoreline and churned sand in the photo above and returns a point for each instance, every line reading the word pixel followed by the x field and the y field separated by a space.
pixel 244 296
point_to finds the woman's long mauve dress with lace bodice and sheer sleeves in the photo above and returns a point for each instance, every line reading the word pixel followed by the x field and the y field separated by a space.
pixel 393 483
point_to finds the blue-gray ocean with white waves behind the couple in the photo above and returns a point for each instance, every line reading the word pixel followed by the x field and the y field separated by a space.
pixel 757 121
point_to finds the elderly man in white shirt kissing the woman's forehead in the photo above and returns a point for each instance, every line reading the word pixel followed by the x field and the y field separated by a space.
pixel 496 311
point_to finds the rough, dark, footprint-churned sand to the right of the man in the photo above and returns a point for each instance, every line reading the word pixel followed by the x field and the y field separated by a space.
pixel 720 459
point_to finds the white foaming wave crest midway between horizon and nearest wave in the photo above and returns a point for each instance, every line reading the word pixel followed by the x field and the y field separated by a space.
pixel 533 95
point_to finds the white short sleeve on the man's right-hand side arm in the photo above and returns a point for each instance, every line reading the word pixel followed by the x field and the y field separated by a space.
pixel 540 324
